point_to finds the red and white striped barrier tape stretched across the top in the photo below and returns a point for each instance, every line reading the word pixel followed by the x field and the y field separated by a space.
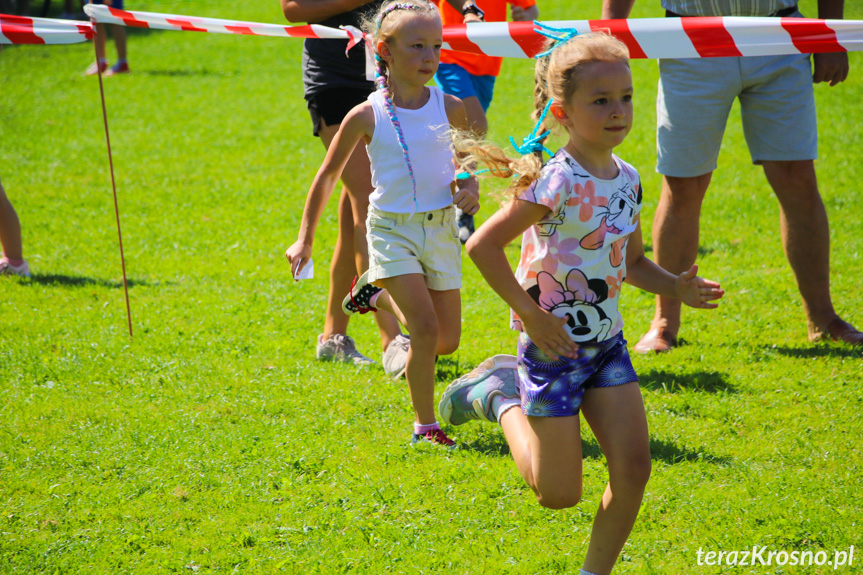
pixel 646 38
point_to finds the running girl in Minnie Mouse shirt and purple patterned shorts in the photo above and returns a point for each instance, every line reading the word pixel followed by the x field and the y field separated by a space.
pixel 581 239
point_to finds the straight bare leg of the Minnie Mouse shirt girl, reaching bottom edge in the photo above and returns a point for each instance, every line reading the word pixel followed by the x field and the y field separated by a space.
pixel 616 416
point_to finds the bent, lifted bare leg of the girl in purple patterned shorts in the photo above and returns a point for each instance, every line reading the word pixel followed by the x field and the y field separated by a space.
pixel 547 453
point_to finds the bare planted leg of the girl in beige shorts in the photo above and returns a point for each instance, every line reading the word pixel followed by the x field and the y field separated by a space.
pixel 408 298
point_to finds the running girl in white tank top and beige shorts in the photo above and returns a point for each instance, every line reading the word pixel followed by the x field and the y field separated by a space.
pixel 414 251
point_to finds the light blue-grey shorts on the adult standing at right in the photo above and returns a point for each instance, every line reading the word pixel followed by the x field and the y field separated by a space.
pixel 695 96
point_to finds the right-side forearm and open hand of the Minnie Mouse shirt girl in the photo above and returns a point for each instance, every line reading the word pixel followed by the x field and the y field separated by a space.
pixel 687 287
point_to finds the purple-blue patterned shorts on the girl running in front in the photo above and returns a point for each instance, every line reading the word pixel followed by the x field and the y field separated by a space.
pixel 555 388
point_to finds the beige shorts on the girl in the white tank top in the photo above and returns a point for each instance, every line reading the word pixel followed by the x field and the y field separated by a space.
pixel 425 243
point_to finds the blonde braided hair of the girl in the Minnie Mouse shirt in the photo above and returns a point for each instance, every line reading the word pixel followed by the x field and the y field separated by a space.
pixel 556 78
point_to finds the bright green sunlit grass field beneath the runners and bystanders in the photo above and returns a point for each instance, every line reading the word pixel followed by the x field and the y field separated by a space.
pixel 213 442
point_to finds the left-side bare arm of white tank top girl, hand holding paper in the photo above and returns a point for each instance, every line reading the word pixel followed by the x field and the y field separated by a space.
pixel 358 124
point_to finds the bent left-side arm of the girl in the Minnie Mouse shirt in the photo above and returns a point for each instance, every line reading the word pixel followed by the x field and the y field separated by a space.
pixel 486 249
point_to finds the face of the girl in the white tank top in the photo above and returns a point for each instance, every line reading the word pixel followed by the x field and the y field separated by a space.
pixel 413 52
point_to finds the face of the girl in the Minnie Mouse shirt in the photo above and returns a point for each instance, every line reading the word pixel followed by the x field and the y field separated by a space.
pixel 598 116
